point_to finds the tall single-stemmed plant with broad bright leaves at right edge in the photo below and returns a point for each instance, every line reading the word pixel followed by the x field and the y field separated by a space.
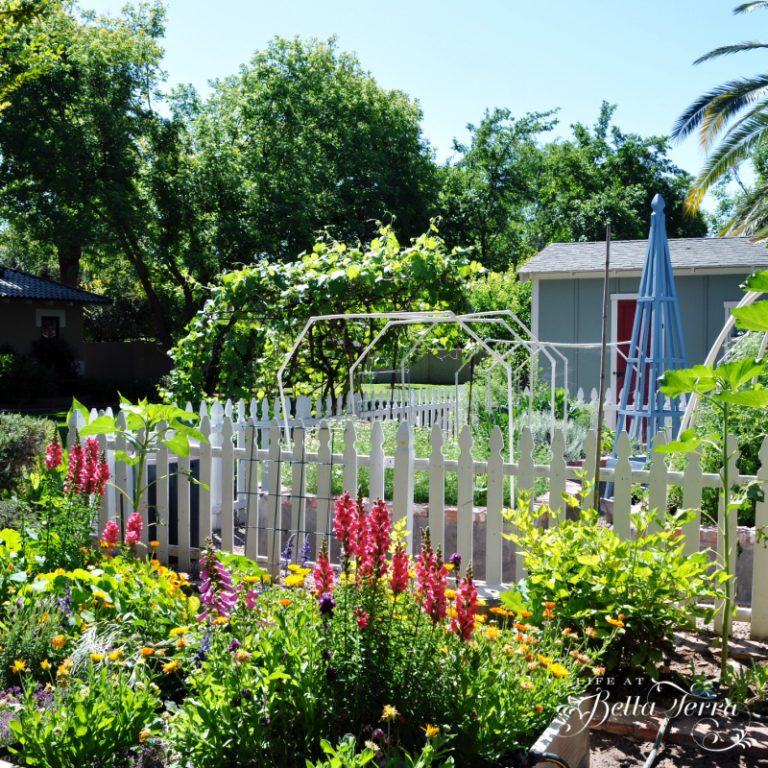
pixel 724 387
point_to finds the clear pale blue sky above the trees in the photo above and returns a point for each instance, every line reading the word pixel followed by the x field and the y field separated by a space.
pixel 459 58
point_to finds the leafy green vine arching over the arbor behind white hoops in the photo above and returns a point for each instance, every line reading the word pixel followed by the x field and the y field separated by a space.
pixel 236 343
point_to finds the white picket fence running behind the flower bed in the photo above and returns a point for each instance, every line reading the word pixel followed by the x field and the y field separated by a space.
pixel 251 490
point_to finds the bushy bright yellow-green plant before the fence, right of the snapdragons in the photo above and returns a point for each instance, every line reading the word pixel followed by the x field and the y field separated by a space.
pixel 637 591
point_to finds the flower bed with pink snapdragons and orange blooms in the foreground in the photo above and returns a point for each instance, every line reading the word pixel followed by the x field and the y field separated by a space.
pixel 111 659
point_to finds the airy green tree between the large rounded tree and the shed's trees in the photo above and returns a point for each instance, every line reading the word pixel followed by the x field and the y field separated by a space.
pixel 489 194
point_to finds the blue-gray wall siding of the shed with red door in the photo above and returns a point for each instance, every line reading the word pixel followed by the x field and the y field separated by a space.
pixel 570 310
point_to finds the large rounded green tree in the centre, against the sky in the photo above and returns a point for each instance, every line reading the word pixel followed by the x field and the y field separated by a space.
pixel 312 142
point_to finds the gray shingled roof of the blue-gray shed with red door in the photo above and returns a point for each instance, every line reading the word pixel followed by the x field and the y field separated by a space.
pixel 687 253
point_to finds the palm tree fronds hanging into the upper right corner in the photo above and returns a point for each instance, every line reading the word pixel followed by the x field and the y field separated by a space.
pixel 736 113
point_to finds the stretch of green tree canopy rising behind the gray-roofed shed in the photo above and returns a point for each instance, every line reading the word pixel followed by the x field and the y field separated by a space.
pixel 510 193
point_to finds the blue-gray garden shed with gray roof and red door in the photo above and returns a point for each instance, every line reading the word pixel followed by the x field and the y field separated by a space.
pixel 567 295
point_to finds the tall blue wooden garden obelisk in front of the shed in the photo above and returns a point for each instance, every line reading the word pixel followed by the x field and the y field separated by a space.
pixel 657 342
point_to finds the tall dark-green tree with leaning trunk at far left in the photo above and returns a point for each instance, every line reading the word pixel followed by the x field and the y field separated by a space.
pixel 77 144
